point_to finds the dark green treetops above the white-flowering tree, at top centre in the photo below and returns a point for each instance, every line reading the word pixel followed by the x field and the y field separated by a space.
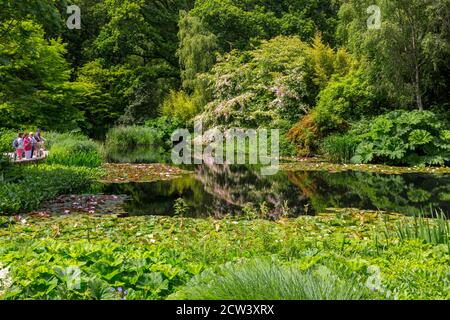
pixel 240 24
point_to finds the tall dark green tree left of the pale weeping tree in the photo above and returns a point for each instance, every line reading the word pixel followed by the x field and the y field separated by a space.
pixel 138 43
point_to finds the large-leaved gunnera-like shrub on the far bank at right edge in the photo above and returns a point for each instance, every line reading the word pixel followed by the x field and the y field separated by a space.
pixel 401 137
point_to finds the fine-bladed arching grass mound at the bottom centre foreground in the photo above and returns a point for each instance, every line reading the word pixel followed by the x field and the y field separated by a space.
pixel 263 279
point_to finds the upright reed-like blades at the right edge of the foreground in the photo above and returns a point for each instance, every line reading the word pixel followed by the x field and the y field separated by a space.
pixel 433 230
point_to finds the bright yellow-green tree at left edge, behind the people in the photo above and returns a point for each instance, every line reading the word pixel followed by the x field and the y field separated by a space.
pixel 34 87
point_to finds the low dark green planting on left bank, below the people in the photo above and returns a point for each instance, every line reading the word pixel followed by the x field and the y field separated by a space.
pixel 45 182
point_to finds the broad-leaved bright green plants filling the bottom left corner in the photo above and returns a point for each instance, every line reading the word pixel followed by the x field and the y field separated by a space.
pixel 108 270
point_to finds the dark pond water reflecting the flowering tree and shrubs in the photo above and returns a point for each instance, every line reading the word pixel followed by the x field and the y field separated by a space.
pixel 219 190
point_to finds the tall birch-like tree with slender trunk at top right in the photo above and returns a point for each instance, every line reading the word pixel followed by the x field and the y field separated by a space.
pixel 408 54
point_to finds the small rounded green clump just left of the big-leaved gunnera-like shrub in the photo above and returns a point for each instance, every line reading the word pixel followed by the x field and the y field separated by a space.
pixel 339 148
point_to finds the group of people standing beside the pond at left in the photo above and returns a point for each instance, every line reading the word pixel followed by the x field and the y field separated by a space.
pixel 29 145
